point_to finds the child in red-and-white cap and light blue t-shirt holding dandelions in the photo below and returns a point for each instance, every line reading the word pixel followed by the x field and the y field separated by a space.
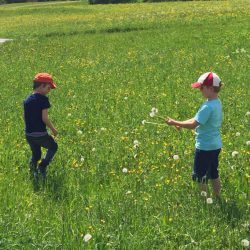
pixel 207 123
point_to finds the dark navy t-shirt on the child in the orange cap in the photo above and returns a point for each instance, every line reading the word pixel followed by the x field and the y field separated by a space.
pixel 33 106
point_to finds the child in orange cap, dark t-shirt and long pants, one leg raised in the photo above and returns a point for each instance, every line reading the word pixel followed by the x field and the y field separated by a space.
pixel 36 120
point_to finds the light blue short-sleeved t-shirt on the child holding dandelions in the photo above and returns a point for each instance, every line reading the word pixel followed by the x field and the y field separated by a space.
pixel 209 118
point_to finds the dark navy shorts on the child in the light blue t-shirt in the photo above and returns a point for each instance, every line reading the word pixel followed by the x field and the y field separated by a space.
pixel 205 165
